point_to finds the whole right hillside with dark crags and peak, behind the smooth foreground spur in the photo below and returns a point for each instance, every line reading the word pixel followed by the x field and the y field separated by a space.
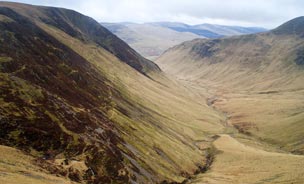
pixel 256 79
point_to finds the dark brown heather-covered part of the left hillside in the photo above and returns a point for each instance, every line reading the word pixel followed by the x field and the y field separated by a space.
pixel 49 96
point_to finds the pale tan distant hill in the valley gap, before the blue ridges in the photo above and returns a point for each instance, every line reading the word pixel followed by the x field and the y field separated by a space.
pixel 148 39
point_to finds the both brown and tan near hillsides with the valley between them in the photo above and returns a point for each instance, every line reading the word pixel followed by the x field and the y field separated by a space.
pixel 79 105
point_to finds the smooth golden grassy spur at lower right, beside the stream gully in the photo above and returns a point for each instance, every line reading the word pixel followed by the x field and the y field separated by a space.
pixel 239 163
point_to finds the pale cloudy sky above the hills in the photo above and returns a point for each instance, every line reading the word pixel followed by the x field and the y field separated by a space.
pixel 259 13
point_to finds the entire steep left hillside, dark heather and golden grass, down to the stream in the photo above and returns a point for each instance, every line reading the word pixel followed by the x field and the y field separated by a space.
pixel 82 105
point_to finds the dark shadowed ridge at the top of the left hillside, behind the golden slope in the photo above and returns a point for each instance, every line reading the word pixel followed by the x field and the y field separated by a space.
pixel 87 29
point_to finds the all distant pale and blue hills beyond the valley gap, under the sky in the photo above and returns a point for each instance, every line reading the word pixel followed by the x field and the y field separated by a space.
pixel 152 39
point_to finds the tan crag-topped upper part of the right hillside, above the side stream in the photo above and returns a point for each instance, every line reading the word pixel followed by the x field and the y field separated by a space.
pixel 261 62
